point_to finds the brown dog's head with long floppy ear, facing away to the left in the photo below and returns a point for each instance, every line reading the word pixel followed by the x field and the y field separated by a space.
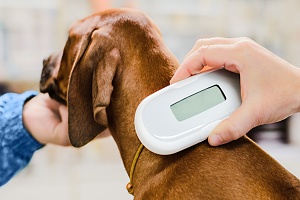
pixel 90 67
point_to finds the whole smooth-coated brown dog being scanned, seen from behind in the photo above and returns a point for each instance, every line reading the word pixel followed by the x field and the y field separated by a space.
pixel 114 59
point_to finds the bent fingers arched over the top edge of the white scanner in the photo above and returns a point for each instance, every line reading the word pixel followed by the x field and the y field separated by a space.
pixel 214 52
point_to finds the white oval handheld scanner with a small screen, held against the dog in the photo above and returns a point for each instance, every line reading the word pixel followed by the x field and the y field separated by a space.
pixel 184 113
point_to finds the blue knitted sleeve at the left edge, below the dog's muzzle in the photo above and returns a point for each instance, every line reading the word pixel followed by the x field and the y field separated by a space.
pixel 16 144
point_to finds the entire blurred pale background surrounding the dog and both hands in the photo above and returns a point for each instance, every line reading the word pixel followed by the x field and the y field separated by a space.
pixel 30 30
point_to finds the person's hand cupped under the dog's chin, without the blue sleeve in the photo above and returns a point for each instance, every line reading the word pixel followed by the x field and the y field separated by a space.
pixel 46 120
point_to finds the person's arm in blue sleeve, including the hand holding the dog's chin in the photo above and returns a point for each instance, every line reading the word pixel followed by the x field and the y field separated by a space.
pixel 17 145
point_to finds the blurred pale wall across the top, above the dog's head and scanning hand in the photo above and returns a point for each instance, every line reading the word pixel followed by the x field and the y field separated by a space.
pixel 31 29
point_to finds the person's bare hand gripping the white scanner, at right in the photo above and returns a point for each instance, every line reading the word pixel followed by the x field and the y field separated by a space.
pixel 270 86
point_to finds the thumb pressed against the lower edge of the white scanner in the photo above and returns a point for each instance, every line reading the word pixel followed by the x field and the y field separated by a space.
pixel 232 128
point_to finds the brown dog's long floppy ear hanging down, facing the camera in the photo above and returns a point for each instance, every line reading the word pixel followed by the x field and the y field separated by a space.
pixel 90 88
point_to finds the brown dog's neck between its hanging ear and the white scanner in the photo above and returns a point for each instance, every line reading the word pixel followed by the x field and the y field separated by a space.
pixel 128 93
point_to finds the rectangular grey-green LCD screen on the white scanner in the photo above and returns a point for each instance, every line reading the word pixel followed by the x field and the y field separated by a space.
pixel 198 103
